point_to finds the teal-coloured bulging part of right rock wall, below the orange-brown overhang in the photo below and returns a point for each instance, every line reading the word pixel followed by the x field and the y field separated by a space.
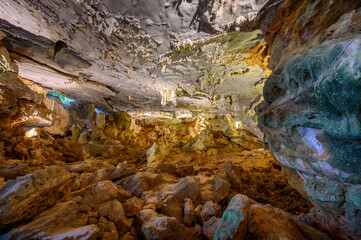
pixel 312 123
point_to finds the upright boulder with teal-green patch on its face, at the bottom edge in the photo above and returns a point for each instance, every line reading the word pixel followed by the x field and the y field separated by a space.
pixel 233 224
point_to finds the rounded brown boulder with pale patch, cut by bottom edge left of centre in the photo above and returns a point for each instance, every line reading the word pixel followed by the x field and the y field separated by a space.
pixel 156 226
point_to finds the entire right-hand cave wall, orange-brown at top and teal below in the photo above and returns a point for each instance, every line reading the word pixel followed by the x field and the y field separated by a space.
pixel 311 115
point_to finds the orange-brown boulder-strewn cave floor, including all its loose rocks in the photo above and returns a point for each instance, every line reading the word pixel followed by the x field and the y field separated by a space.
pixel 112 176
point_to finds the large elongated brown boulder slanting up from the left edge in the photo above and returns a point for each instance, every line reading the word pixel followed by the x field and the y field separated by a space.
pixel 27 196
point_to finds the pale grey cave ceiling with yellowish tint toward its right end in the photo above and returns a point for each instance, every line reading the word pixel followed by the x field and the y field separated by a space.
pixel 142 55
